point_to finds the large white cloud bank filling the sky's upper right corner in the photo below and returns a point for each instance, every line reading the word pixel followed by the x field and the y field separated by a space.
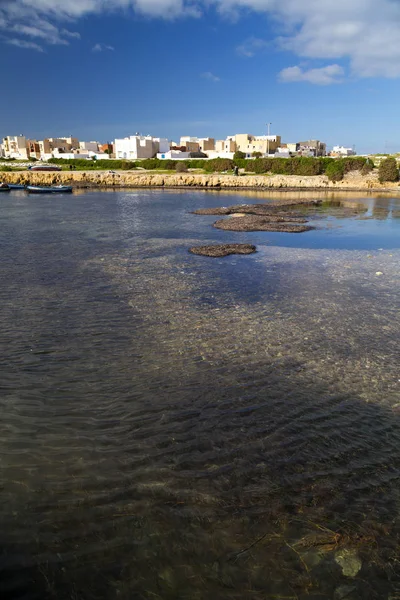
pixel 364 32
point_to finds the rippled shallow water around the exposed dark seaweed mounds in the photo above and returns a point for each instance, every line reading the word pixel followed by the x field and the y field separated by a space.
pixel 175 426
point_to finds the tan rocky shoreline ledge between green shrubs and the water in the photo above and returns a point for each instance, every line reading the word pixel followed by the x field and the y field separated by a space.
pixel 148 179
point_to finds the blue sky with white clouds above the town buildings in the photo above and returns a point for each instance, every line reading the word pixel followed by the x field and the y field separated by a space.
pixel 104 69
